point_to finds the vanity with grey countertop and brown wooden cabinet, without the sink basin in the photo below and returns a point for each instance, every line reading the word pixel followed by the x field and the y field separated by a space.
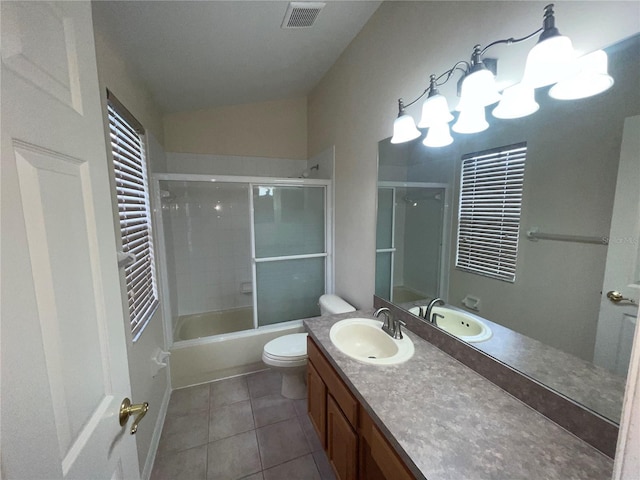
pixel 431 417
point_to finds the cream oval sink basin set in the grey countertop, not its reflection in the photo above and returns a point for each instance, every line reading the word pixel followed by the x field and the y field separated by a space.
pixel 363 339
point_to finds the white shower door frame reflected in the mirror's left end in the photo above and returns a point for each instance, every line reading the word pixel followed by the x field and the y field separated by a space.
pixel 443 279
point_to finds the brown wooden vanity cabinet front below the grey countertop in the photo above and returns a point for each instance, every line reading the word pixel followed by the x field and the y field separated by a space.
pixel 356 448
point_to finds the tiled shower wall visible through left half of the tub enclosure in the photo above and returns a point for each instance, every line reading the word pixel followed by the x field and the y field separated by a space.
pixel 210 236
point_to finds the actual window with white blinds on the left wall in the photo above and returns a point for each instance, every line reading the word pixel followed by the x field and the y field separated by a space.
pixel 130 170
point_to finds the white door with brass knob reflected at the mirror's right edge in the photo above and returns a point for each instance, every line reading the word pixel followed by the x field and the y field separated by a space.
pixel 617 321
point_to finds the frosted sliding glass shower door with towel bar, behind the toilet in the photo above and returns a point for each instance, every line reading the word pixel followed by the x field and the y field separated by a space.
pixel 290 251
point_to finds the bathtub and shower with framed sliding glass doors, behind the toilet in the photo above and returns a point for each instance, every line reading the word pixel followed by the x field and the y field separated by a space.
pixel 245 259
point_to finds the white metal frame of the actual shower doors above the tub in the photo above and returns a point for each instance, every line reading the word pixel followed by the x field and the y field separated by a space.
pixel 250 181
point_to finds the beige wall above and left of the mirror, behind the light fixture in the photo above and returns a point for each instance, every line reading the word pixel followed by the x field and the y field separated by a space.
pixel 355 104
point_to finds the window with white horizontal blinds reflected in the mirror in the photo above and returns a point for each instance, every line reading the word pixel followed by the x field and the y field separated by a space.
pixel 489 212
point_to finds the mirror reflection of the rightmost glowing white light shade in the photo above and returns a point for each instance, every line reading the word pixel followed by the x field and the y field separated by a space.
pixel 591 78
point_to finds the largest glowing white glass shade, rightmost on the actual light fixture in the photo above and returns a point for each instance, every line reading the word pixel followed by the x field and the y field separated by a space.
pixel 549 61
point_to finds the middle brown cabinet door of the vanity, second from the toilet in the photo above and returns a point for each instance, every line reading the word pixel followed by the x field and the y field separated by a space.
pixel 342 443
